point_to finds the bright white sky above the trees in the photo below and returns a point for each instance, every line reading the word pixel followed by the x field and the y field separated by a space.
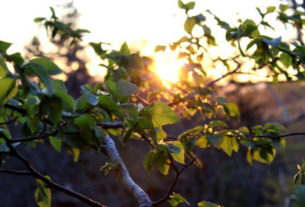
pixel 142 23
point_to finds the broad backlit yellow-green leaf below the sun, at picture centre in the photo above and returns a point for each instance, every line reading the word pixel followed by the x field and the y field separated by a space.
pixel 161 114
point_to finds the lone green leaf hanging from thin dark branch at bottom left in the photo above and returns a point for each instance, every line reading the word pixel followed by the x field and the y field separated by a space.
pixel 42 194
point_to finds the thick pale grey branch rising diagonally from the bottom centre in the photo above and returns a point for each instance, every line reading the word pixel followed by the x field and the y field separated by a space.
pixel 109 149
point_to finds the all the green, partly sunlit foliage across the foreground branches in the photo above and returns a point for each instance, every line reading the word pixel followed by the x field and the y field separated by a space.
pixel 40 104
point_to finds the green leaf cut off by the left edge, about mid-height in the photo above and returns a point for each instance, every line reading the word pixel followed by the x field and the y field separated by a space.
pixel 8 89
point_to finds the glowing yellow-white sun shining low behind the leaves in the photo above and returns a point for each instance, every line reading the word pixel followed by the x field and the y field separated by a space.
pixel 167 66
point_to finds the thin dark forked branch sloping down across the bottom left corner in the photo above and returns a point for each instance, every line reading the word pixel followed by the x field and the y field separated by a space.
pixel 35 173
